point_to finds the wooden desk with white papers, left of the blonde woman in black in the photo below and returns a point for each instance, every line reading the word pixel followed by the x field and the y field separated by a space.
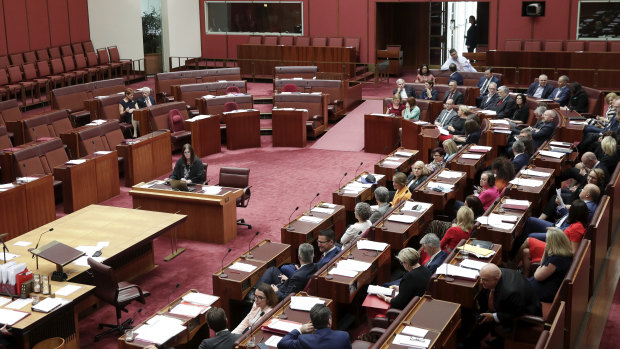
pixel 343 289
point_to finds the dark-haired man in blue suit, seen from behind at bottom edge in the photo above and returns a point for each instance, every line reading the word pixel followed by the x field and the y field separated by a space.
pixel 316 334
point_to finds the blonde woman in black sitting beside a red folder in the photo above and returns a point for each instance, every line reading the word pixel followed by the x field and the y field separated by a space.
pixel 413 282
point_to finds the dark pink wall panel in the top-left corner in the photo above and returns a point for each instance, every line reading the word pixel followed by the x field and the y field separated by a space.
pixel 16 24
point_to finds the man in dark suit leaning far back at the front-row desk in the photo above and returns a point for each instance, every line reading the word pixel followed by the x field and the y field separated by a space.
pixel 284 285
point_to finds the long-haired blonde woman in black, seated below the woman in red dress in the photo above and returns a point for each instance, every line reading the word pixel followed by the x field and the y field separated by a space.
pixel 556 261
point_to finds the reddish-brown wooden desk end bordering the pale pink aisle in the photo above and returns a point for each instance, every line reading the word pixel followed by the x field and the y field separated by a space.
pixel 381 133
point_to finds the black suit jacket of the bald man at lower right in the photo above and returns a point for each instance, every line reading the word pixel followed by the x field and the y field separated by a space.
pixel 514 296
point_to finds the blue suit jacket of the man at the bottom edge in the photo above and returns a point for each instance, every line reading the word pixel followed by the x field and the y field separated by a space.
pixel 320 339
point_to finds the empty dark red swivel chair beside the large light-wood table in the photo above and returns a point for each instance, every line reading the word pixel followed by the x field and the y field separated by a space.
pixel 118 294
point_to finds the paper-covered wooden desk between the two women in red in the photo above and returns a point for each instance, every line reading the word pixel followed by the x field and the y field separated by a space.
pixel 504 237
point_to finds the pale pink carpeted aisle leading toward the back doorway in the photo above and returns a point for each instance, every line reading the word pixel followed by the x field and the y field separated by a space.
pixel 348 133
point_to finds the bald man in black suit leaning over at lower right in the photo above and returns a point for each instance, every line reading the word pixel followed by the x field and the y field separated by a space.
pixel 507 294
